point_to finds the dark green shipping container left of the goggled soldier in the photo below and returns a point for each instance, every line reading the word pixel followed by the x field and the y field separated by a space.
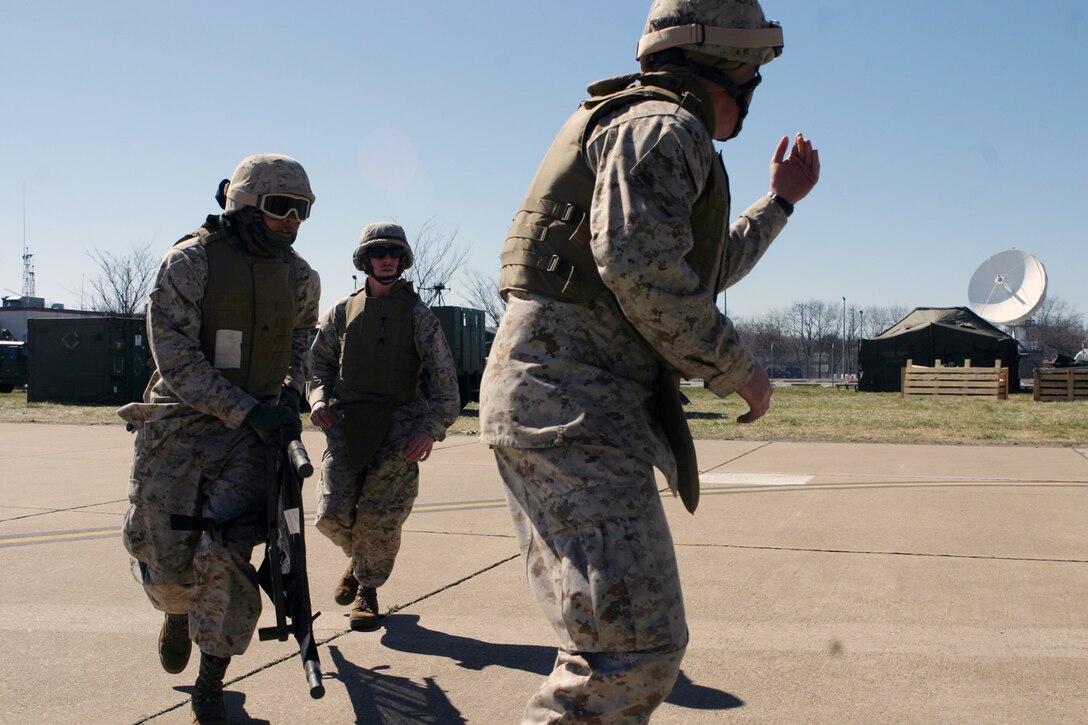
pixel 98 361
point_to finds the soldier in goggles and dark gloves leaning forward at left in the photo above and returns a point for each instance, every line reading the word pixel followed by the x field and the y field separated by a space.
pixel 217 392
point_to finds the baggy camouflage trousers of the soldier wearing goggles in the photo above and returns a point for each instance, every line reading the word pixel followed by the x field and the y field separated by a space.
pixel 209 471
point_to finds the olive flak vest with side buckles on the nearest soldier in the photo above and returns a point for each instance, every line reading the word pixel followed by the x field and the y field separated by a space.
pixel 548 249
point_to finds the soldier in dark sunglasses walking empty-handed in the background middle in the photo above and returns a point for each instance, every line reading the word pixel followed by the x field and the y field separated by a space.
pixel 367 360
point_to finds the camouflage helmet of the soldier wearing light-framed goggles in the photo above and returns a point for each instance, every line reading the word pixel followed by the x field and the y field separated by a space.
pixel 270 175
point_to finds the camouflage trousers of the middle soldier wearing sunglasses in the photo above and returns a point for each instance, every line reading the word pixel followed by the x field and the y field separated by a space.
pixel 364 512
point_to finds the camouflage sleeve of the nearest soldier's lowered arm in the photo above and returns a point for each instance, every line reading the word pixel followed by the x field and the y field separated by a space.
pixel 650 171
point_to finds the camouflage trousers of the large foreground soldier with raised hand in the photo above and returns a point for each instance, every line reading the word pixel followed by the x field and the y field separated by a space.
pixel 599 557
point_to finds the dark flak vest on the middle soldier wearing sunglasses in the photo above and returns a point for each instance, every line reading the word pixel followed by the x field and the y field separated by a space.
pixel 379 360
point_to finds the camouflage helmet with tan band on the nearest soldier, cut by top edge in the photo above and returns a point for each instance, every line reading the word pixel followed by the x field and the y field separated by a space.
pixel 730 30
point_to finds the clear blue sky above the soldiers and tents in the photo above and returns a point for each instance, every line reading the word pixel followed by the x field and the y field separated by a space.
pixel 948 131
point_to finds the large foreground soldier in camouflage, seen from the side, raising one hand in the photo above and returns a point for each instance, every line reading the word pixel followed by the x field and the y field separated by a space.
pixel 611 274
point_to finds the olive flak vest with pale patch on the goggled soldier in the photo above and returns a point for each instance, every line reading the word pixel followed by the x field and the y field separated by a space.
pixel 248 313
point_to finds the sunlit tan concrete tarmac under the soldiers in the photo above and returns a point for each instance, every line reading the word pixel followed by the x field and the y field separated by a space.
pixel 824 584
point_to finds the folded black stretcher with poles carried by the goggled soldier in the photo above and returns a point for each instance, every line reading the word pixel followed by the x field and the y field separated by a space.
pixel 283 573
